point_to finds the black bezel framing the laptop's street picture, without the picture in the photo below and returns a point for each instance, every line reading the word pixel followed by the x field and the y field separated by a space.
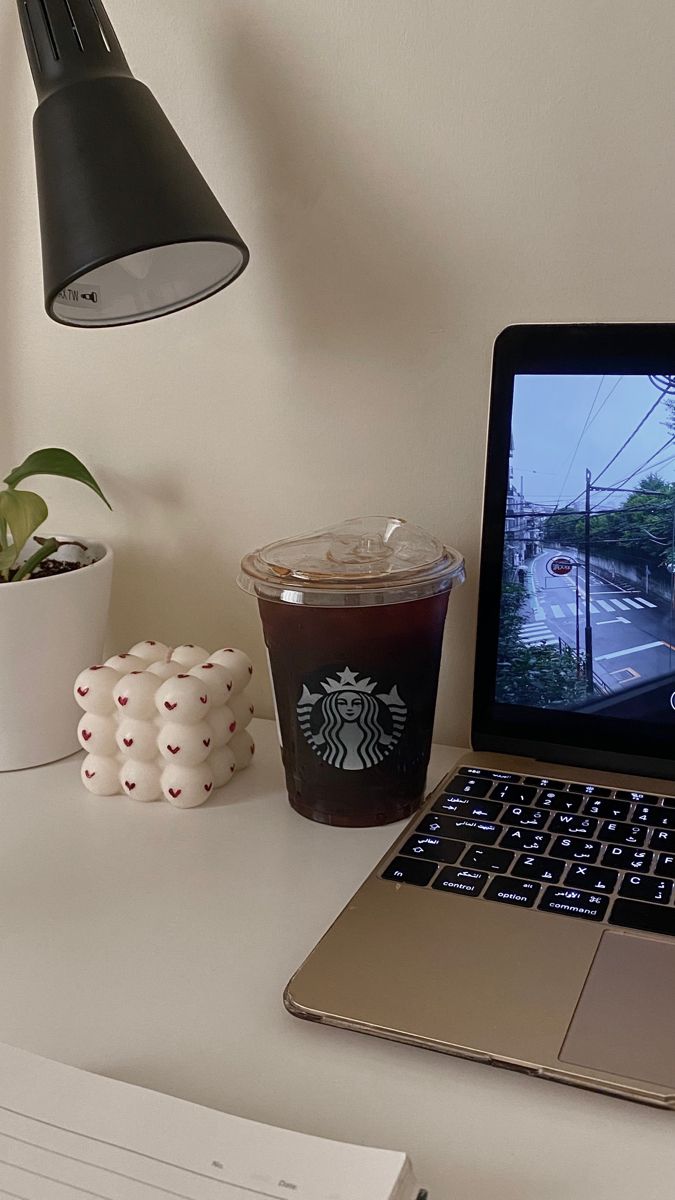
pixel 557 736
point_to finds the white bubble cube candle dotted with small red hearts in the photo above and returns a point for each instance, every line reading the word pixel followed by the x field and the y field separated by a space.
pixel 163 723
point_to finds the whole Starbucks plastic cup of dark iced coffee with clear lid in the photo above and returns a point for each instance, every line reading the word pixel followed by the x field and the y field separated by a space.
pixel 354 622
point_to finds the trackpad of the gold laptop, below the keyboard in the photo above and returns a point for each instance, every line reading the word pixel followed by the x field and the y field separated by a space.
pixel 624 1022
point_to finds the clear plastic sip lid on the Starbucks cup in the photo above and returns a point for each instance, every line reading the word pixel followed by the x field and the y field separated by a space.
pixel 366 561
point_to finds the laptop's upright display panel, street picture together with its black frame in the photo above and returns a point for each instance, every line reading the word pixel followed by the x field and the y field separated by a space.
pixel 577 625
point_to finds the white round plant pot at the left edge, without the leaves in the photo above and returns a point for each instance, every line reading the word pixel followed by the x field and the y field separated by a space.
pixel 51 629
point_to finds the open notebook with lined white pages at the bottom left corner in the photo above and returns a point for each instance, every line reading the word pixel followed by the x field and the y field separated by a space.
pixel 70 1136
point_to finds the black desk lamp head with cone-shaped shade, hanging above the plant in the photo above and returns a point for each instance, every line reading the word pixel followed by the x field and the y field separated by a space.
pixel 130 229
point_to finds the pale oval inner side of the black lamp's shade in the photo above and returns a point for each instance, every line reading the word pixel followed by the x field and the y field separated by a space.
pixel 148 284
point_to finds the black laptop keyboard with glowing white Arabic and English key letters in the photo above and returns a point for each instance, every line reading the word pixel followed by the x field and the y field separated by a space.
pixel 578 850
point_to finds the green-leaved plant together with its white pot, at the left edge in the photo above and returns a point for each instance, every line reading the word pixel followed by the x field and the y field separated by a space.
pixel 55 597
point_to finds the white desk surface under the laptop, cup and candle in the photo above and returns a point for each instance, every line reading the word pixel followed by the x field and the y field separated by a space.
pixel 153 946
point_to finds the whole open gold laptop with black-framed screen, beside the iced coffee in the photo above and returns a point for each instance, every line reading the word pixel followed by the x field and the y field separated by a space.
pixel 525 917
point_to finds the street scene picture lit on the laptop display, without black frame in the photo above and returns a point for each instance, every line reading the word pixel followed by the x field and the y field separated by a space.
pixel 588 603
